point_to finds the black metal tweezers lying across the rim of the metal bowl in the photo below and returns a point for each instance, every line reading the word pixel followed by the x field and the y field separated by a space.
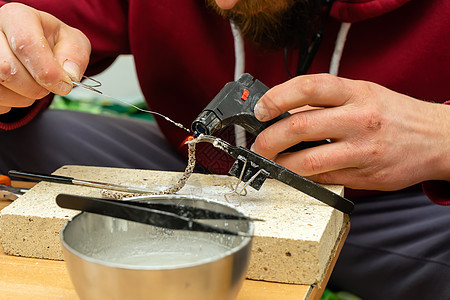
pixel 167 215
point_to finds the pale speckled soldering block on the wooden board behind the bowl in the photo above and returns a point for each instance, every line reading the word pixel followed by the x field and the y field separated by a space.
pixel 294 244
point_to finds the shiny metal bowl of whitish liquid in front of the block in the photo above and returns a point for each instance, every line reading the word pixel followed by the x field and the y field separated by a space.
pixel 111 258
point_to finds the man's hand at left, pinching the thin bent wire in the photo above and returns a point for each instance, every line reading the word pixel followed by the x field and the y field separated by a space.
pixel 39 54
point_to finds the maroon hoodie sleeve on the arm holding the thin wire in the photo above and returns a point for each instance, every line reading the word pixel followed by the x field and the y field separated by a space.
pixel 106 26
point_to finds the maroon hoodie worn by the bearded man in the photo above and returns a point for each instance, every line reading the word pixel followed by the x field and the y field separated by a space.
pixel 184 52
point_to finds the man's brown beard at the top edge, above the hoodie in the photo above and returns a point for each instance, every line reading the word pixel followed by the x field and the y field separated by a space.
pixel 274 24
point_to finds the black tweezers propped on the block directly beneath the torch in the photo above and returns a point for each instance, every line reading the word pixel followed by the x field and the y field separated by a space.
pixel 254 169
